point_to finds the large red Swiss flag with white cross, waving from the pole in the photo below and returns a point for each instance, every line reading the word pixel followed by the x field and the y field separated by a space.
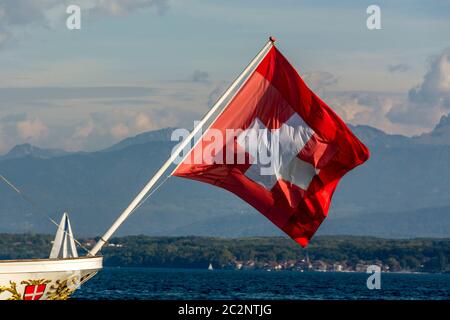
pixel 316 148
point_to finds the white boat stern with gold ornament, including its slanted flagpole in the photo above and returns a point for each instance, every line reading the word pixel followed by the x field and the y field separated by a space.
pixel 64 271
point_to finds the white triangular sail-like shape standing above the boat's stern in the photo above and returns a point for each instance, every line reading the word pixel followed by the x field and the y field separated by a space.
pixel 64 244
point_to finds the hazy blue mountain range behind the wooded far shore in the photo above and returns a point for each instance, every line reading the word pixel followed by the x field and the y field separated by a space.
pixel 402 191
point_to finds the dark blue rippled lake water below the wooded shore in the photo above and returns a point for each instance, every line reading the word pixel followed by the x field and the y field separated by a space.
pixel 147 283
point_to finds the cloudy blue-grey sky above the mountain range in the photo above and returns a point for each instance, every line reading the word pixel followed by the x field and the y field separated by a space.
pixel 143 65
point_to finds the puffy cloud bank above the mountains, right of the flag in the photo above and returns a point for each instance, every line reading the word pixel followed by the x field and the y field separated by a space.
pixel 415 113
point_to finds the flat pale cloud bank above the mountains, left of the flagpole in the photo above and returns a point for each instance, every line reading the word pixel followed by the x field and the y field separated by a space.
pixel 93 118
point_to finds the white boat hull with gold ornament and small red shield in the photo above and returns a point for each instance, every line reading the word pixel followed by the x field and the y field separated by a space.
pixel 45 279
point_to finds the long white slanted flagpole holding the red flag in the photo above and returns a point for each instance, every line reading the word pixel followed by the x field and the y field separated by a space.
pixel 124 215
